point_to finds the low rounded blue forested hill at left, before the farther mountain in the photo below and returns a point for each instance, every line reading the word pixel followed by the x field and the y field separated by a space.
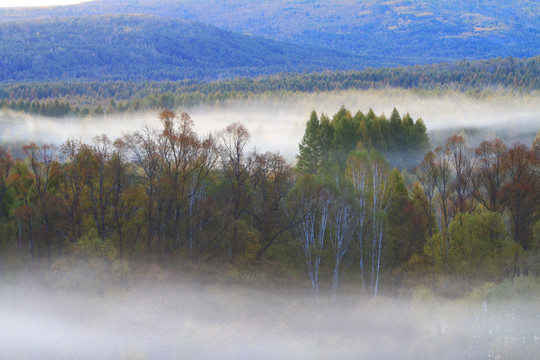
pixel 144 47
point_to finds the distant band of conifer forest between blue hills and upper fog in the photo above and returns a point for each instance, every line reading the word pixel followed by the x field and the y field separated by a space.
pixel 119 96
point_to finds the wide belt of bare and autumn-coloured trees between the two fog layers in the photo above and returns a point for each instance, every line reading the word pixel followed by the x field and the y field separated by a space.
pixel 170 196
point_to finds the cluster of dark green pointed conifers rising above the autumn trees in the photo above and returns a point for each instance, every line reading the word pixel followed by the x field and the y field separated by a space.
pixel 326 142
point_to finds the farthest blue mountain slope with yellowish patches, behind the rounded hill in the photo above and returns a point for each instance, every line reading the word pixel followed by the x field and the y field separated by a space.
pixel 382 32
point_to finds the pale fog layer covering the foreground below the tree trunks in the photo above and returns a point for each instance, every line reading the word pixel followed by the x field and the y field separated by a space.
pixel 192 320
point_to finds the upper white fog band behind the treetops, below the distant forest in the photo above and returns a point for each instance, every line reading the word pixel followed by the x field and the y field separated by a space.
pixel 277 124
